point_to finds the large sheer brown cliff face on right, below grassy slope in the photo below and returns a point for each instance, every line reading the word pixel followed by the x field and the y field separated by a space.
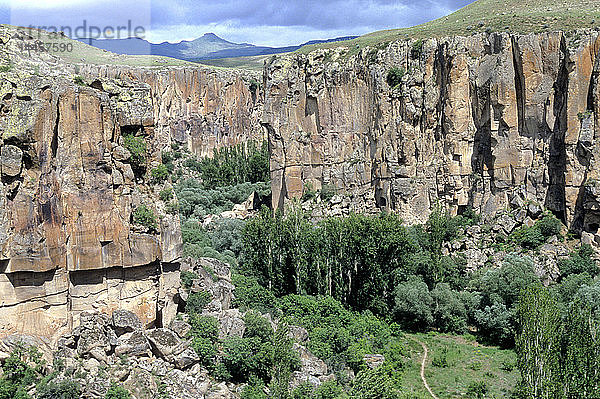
pixel 476 121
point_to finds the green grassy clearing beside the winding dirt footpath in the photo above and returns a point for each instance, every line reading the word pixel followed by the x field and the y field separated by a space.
pixel 466 363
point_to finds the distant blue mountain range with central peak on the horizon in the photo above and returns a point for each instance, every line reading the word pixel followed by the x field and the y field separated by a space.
pixel 209 46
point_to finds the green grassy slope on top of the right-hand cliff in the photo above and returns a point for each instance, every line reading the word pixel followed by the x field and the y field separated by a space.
pixel 519 16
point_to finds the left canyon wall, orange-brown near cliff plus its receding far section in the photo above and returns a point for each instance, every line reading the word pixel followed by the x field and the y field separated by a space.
pixel 69 186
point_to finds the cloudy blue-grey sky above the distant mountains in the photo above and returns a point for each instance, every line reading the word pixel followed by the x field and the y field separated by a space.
pixel 261 22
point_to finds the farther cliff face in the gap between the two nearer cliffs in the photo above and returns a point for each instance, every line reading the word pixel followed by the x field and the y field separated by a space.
pixel 202 108
